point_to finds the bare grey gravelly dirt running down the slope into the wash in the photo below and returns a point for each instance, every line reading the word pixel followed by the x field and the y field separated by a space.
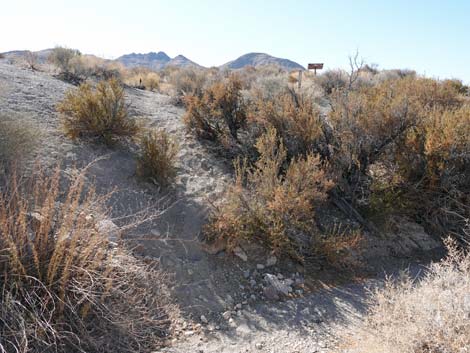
pixel 220 296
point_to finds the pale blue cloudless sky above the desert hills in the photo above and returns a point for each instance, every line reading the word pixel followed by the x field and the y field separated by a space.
pixel 432 37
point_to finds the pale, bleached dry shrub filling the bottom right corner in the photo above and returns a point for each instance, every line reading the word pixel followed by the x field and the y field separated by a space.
pixel 430 315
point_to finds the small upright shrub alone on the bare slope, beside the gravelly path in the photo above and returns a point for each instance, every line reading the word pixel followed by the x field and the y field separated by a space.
pixel 157 157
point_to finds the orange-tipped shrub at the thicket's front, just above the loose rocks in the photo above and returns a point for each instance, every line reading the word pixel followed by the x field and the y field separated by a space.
pixel 272 202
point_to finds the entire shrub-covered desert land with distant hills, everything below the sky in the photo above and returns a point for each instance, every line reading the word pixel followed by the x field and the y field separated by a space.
pixel 173 208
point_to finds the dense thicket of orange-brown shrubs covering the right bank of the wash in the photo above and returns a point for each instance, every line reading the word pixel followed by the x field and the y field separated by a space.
pixel 389 142
